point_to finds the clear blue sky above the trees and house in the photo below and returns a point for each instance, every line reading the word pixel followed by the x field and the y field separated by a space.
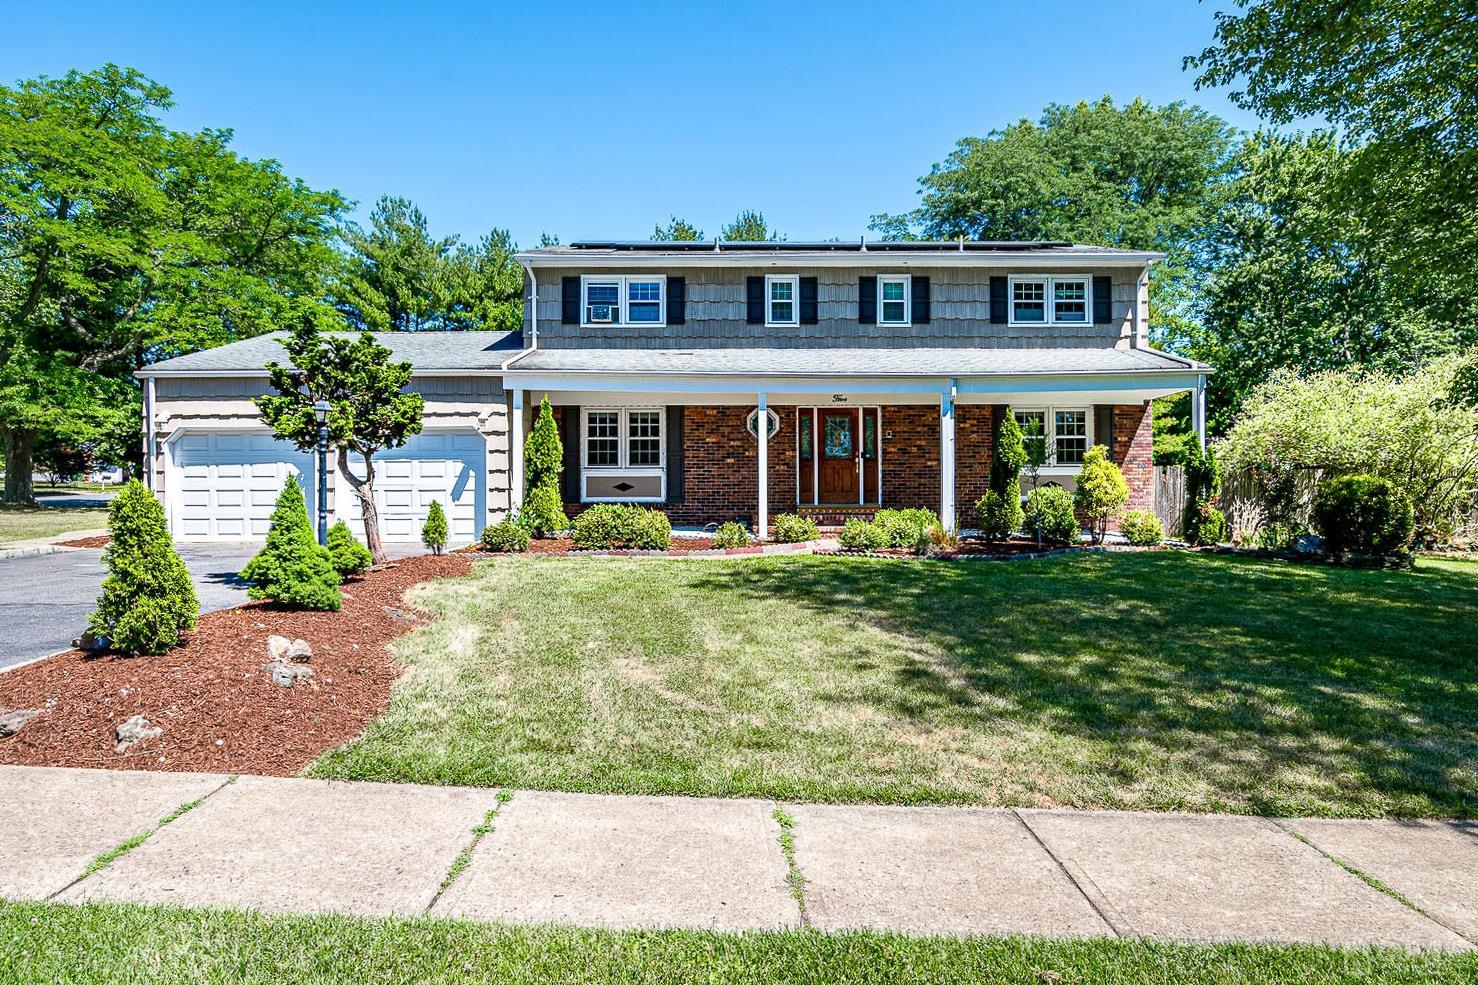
pixel 595 121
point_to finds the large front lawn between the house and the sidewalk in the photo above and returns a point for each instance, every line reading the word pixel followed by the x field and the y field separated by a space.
pixel 1131 681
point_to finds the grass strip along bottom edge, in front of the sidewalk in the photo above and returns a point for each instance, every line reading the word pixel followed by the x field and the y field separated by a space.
pixel 126 944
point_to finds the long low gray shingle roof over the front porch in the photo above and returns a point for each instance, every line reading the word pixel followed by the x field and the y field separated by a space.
pixel 854 362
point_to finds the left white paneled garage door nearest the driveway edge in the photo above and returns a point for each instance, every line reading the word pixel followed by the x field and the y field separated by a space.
pixel 230 481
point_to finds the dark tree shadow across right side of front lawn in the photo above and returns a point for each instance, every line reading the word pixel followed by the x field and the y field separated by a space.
pixel 1263 680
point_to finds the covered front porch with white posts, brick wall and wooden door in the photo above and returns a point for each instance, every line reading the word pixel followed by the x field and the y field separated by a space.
pixel 831 446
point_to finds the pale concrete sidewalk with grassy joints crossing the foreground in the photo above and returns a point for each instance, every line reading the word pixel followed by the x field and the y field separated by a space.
pixel 530 857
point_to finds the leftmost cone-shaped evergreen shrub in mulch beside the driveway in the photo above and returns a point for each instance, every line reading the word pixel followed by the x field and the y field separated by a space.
pixel 149 598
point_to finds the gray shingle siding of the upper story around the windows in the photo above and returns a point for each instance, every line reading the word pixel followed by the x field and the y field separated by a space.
pixel 960 313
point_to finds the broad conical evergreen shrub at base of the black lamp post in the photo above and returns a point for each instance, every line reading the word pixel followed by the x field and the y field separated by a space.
pixel 293 569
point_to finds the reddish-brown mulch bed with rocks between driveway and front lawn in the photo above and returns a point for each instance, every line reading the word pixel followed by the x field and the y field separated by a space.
pixel 219 711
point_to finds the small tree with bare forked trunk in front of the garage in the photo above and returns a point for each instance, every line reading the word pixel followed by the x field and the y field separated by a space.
pixel 369 409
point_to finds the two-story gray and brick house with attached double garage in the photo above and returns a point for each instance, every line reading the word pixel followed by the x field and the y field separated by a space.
pixel 721 381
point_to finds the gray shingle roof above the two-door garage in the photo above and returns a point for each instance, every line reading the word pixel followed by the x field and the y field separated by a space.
pixel 422 350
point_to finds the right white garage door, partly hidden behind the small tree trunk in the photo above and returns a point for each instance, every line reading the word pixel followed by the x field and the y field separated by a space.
pixel 446 467
